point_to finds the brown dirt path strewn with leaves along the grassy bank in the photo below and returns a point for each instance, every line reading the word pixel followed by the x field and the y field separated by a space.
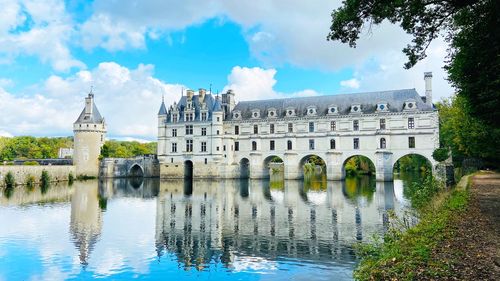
pixel 474 251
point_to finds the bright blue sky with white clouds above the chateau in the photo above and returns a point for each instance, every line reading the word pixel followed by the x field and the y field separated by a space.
pixel 134 52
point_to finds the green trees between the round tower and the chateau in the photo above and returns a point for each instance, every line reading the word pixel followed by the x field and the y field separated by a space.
pixel 124 149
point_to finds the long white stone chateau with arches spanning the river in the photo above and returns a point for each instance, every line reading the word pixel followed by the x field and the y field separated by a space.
pixel 207 136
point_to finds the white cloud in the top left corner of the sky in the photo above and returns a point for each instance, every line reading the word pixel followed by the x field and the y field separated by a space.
pixel 49 33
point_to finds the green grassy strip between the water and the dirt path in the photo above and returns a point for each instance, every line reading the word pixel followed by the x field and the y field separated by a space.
pixel 406 253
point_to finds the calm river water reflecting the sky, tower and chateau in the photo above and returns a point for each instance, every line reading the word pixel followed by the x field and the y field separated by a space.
pixel 241 230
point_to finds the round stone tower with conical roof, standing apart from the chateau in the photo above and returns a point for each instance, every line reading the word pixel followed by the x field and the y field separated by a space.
pixel 89 132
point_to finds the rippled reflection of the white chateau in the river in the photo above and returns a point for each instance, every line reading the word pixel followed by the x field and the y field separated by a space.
pixel 218 221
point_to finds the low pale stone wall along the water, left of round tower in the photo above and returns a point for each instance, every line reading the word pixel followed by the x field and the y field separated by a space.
pixel 56 173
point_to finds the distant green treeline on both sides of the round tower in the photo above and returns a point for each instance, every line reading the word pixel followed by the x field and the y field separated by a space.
pixel 26 147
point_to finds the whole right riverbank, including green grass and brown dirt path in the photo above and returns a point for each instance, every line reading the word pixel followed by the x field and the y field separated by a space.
pixel 457 238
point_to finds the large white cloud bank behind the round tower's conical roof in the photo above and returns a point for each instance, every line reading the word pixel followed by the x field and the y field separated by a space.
pixel 127 98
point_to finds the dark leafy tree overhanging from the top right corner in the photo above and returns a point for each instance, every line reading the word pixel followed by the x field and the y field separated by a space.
pixel 472 29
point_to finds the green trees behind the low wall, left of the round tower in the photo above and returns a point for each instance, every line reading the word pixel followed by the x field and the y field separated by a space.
pixel 32 148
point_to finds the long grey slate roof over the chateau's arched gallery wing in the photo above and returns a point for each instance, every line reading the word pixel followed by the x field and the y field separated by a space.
pixel 394 99
